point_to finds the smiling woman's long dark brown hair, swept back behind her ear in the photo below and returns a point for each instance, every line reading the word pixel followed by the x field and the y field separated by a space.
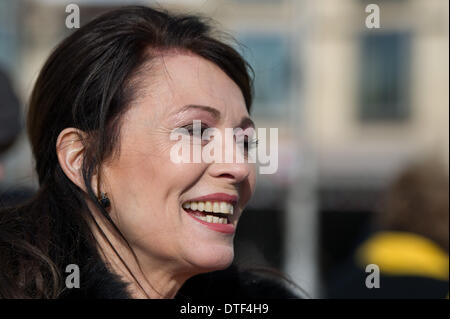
pixel 88 83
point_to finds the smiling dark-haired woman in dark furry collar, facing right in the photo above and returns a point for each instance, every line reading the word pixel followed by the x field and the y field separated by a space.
pixel 110 200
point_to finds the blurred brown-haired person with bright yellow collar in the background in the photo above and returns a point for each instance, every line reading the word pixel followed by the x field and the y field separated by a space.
pixel 411 242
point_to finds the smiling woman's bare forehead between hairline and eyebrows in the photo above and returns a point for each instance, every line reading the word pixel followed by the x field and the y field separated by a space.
pixel 176 80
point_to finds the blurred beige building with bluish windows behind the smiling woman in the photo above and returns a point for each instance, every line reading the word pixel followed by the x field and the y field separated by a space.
pixel 353 107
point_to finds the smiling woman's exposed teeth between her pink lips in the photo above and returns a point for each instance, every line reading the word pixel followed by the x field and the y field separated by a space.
pixel 210 207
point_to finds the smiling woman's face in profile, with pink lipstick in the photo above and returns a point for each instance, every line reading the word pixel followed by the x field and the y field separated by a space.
pixel 148 190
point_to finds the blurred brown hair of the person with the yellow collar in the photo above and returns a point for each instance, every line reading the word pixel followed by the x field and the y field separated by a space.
pixel 418 202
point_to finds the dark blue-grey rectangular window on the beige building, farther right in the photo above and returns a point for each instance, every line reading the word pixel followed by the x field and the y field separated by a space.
pixel 384 77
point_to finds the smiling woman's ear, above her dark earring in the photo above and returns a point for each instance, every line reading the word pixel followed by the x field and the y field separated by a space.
pixel 70 151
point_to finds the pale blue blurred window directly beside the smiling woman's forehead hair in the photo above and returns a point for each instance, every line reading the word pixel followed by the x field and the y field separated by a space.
pixel 269 57
